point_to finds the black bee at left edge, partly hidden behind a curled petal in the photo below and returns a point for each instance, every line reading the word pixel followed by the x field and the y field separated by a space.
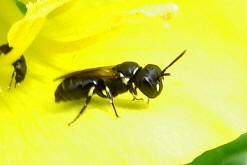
pixel 20 66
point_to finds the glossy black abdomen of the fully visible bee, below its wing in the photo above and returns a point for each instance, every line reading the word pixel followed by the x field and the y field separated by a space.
pixel 73 88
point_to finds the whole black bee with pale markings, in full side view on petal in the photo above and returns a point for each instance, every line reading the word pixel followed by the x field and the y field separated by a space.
pixel 109 81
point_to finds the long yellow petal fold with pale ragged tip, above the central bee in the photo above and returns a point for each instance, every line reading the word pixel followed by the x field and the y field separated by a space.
pixel 97 23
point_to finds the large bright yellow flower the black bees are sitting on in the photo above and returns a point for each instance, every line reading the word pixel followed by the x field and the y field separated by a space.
pixel 202 104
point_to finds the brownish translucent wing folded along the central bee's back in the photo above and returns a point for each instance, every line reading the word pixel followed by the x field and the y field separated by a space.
pixel 100 72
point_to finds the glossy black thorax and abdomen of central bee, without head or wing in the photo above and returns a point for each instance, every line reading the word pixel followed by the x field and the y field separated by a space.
pixel 76 88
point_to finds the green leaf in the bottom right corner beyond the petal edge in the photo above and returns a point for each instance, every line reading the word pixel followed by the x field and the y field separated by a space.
pixel 233 153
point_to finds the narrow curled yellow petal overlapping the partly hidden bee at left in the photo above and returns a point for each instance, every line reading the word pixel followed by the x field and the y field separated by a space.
pixel 23 32
